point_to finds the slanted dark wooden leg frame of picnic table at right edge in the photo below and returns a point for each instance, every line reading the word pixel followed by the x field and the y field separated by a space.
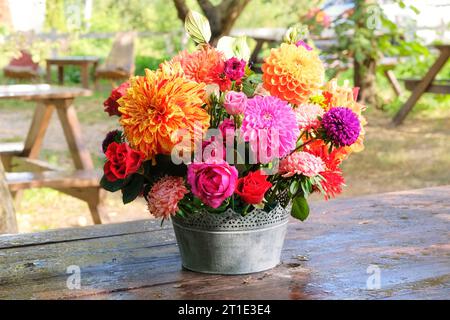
pixel 425 84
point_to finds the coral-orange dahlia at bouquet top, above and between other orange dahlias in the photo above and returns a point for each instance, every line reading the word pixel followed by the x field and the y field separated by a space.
pixel 206 65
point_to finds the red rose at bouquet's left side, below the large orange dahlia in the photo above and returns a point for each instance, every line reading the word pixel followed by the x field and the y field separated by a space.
pixel 122 161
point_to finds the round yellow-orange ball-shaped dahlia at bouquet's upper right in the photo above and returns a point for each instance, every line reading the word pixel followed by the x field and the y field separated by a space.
pixel 292 73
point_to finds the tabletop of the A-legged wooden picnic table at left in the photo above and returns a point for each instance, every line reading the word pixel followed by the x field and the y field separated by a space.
pixel 40 92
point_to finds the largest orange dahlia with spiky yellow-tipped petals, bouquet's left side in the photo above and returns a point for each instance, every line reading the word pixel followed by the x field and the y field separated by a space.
pixel 159 104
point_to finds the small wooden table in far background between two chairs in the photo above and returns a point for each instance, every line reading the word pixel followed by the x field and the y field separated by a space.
pixel 82 61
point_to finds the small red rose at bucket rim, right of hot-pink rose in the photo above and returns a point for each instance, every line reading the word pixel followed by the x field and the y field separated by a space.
pixel 252 187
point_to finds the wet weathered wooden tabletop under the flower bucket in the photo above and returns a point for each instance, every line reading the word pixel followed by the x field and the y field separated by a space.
pixel 400 238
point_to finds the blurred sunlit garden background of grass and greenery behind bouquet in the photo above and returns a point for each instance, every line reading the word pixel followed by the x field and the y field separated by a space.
pixel 413 155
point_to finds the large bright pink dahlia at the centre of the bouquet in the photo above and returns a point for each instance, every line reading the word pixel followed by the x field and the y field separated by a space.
pixel 271 123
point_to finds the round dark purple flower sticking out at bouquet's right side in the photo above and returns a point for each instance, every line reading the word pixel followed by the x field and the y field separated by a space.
pixel 341 126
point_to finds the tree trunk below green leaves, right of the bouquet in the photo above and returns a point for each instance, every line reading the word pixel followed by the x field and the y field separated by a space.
pixel 364 77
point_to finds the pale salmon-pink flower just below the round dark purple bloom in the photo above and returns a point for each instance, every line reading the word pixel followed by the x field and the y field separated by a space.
pixel 301 163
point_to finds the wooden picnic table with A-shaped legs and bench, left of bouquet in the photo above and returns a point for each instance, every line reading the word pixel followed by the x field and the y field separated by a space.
pixel 83 182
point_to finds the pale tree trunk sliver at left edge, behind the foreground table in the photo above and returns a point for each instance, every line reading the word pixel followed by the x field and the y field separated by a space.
pixel 8 222
